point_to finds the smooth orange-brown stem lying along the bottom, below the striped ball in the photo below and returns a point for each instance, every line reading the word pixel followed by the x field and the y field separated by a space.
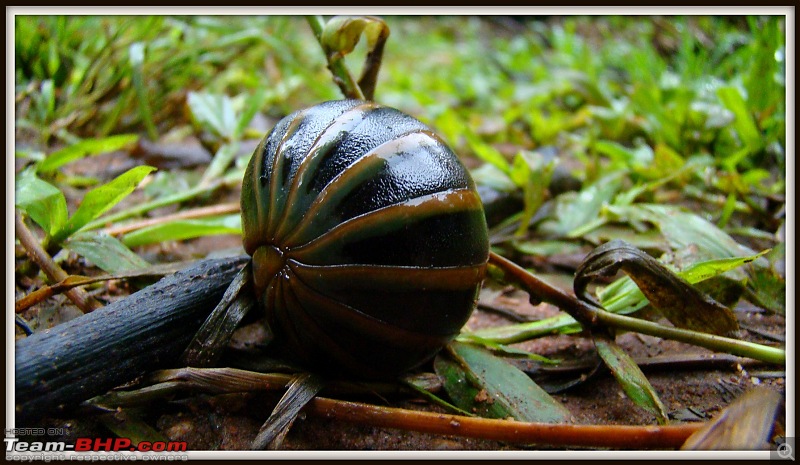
pixel 614 436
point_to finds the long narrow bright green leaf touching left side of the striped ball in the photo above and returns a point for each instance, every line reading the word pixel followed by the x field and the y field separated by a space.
pixel 184 229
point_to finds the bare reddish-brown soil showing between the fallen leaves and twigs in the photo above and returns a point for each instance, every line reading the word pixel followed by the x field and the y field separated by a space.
pixel 231 421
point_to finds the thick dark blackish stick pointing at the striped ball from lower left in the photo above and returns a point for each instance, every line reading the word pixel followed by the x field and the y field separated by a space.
pixel 58 368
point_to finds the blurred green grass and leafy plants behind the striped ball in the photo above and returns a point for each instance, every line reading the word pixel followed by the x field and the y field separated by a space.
pixel 665 131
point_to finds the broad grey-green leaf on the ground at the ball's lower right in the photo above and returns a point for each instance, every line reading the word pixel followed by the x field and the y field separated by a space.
pixel 508 391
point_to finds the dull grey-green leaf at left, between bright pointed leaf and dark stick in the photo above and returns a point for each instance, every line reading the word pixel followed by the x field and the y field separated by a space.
pixel 107 252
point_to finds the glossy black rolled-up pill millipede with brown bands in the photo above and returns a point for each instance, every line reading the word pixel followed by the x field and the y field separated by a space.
pixel 368 238
